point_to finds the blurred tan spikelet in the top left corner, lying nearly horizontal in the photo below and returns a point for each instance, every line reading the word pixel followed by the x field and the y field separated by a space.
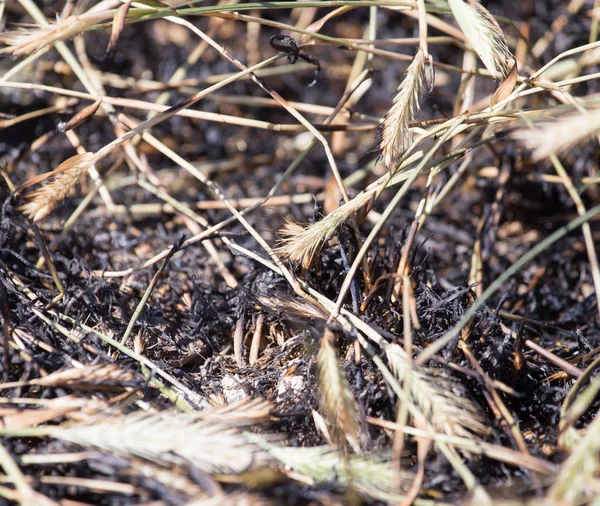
pixel 24 41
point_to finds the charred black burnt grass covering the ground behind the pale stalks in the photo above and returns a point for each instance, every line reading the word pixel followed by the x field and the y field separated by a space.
pixel 187 325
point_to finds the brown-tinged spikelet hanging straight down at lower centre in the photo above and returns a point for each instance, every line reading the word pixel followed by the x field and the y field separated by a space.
pixel 336 396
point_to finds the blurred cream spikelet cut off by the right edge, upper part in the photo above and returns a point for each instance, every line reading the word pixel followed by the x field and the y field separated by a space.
pixel 560 135
